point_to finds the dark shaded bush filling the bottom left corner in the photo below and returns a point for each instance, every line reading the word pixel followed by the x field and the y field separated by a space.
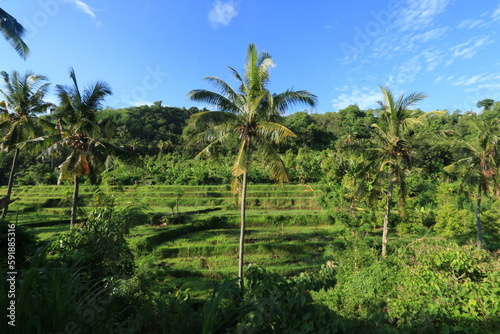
pixel 60 300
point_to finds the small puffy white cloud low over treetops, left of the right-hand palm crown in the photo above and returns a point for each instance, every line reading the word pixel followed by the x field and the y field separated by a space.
pixel 364 97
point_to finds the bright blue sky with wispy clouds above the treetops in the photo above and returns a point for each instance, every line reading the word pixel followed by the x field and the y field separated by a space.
pixel 340 50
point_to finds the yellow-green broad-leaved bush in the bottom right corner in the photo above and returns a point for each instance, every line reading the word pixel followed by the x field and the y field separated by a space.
pixel 446 289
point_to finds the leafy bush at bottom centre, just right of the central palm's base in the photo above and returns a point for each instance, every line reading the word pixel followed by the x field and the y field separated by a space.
pixel 284 305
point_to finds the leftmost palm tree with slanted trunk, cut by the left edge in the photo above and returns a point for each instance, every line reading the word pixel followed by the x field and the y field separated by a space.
pixel 19 122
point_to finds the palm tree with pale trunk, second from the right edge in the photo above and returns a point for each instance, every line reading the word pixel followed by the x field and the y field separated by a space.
pixel 390 148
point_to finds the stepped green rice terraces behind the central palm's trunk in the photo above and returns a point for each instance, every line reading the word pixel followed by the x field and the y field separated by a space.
pixel 286 228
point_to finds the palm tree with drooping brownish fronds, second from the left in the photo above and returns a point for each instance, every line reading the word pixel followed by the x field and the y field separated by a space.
pixel 80 135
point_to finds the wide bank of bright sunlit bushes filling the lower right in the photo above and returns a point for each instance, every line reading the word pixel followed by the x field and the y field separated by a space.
pixel 431 286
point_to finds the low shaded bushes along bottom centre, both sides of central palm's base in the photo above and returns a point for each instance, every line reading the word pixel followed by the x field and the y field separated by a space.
pixel 268 303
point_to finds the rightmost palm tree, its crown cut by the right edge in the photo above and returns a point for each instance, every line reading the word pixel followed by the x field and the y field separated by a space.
pixel 479 166
